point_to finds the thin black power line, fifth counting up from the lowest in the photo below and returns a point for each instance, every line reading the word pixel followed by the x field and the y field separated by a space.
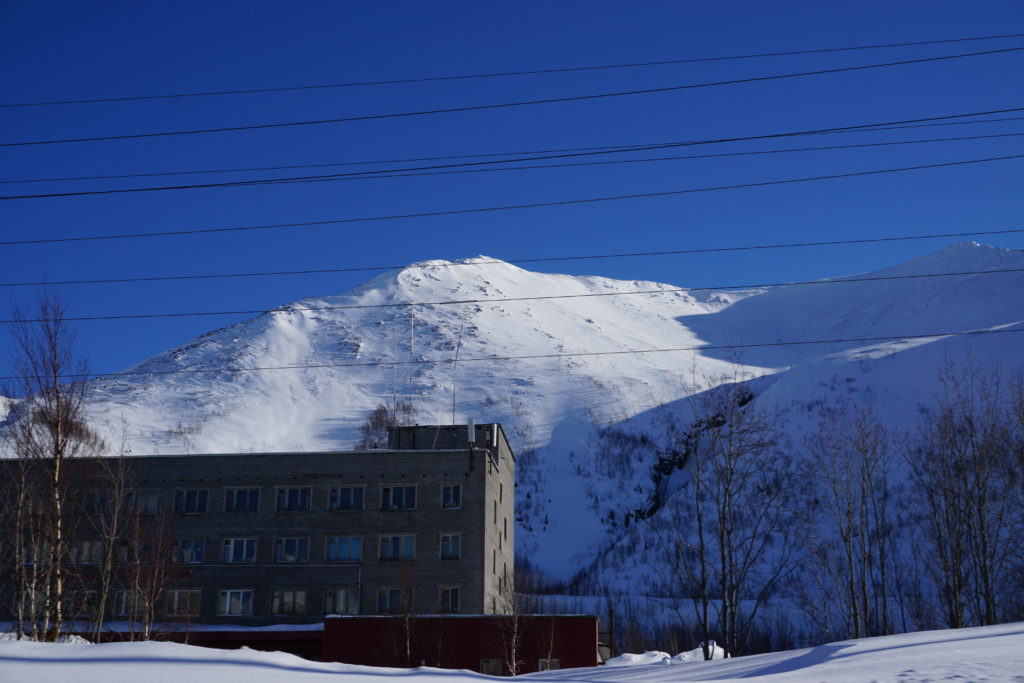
pixel 451 169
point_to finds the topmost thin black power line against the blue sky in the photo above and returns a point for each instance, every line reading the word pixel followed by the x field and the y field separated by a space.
pixel 461 77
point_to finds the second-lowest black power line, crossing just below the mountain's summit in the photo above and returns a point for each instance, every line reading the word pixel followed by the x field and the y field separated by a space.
pixel 548 297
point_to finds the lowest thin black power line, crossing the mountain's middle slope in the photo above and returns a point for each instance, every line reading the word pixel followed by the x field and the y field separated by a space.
pixel 536 357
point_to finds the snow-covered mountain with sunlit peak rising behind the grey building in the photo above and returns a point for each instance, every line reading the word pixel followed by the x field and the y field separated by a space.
pixel 307 376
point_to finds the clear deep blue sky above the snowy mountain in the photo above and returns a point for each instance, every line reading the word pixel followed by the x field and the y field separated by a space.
pixel 69 51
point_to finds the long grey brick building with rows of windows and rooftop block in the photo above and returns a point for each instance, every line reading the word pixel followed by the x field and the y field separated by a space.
pixel 425 527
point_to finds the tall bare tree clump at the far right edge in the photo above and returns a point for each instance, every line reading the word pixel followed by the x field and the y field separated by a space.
pixel 964 489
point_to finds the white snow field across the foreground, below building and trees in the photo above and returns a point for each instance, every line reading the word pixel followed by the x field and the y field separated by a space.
pixel 989 654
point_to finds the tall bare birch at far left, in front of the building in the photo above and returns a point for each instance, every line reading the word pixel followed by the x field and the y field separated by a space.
pixel 47 430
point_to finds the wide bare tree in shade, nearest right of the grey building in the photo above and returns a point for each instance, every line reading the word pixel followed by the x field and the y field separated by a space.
pixel 737 520
